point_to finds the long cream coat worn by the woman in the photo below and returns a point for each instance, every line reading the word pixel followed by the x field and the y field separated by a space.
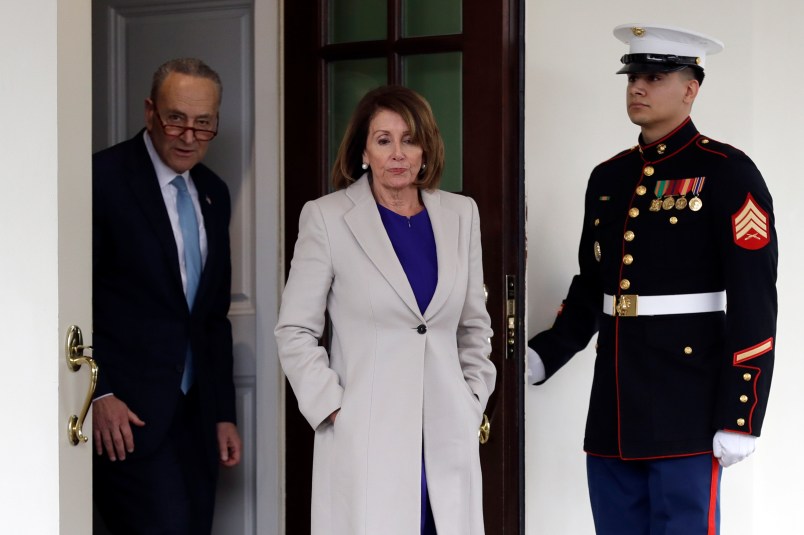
pixel 396 387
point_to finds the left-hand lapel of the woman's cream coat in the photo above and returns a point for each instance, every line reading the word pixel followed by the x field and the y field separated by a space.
pixel 365 224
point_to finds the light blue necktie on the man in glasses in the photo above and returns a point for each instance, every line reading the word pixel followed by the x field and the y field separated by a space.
pixel 192 261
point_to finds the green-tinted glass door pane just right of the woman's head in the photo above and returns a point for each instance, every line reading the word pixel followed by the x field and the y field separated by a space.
pixel 437 77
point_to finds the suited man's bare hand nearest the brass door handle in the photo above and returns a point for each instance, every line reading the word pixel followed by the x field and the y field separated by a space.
pixel 111 427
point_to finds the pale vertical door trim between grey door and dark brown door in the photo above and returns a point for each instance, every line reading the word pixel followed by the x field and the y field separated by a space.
pixel 268 106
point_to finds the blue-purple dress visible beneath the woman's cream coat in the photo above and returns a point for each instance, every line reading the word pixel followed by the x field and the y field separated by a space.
pixel 414 244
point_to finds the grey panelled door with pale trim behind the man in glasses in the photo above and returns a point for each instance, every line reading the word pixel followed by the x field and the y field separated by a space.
pixel 131 38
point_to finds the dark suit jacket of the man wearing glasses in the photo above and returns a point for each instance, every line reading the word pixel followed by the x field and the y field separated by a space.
pixel 141 320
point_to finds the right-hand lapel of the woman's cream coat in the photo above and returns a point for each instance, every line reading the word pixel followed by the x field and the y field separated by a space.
pixel 445 229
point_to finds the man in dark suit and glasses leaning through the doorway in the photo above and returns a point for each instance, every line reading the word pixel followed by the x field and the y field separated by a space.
pixel 164 412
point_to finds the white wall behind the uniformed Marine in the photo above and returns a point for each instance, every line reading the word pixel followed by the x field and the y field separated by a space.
pixel 575 118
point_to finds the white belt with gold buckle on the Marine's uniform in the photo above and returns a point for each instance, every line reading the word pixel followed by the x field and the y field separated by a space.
pixel 656 305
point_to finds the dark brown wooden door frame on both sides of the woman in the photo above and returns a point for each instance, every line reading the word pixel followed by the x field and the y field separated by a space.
pixel 494 33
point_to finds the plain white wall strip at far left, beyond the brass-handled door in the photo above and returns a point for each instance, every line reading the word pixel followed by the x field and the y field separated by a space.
pixel 30 308
